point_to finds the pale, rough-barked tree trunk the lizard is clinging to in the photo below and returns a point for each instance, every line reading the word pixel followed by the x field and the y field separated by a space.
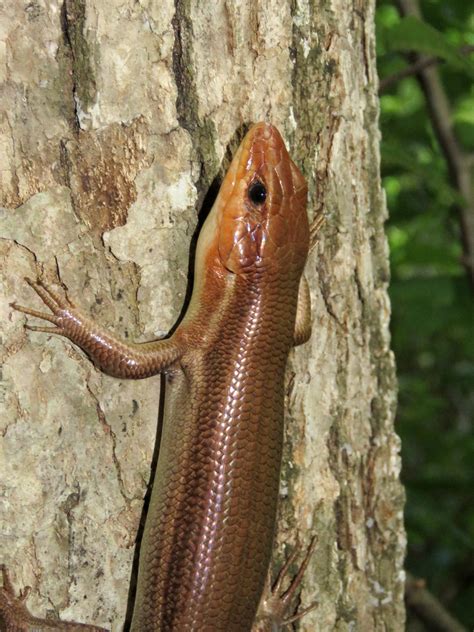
pixel 118 117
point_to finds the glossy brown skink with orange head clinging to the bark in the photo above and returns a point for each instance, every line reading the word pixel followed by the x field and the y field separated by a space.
pixel 208 535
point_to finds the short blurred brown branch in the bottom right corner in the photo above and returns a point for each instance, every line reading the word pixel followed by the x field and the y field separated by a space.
pixel 428 609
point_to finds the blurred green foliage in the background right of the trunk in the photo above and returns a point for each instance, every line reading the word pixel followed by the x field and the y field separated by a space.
pixel 433 309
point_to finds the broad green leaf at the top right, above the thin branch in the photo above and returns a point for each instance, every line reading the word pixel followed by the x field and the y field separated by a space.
pixel 414 35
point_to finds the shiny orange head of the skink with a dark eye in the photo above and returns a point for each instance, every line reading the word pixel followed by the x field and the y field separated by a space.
pixel 259 219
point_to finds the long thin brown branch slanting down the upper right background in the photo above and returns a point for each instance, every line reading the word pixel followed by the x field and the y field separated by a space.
pixel 460 165
